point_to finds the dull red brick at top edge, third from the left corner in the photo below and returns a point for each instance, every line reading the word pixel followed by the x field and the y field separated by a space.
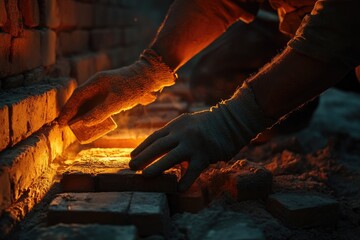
pixel 49 13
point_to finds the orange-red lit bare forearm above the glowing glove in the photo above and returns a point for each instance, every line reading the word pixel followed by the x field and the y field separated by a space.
pixel 191 25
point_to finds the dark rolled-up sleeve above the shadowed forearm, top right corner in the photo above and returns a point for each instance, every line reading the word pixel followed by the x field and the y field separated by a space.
pixel 331 32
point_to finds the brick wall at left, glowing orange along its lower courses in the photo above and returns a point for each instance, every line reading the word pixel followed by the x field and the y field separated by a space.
pixel 48 48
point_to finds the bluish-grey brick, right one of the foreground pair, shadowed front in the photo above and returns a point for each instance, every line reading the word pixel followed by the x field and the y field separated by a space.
pixel 149 212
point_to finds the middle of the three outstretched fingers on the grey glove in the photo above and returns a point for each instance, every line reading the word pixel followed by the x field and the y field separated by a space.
pixel 152 152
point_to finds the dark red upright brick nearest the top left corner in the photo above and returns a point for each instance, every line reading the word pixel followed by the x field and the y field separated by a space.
pixel 14 24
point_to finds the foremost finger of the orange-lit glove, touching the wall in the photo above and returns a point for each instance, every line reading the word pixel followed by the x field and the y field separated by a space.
pixel 78 98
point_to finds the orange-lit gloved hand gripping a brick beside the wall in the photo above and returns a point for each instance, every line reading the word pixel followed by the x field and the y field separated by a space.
pixel 117 90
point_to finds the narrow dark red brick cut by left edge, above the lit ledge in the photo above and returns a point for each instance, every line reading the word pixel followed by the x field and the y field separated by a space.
pixel 5 46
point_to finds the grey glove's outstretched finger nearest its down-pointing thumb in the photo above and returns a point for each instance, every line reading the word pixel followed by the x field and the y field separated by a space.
pixel 172 158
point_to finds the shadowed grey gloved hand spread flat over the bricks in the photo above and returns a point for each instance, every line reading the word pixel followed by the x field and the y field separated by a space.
pixel 201 138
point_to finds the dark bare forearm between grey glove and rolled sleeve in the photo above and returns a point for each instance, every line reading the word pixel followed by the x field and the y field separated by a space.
pixel 292 79
